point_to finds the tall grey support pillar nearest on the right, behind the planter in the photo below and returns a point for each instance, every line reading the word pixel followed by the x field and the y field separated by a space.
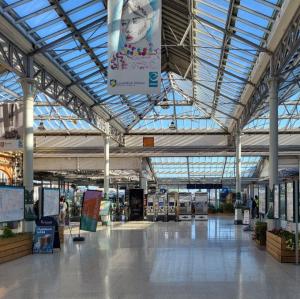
pixel 273 133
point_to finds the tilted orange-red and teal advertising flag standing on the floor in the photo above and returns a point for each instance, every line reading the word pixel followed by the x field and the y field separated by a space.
pixel 90 210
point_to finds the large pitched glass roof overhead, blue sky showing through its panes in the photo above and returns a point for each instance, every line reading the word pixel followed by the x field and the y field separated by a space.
pixel 73 34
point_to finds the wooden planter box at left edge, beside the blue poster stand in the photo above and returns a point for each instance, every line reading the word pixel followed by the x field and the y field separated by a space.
pixel 15 247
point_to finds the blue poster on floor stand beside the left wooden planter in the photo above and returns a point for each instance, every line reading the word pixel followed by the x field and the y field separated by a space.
pixel 43 239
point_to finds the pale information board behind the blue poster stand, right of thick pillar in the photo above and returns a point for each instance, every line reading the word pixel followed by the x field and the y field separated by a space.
pixel 50 203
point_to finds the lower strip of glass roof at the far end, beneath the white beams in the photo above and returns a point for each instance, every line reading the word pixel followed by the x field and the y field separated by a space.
pixel 191 168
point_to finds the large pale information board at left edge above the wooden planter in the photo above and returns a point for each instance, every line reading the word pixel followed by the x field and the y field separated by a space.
pixel 11 203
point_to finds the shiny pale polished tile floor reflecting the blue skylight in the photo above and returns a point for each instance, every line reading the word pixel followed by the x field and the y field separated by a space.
pixel 213 259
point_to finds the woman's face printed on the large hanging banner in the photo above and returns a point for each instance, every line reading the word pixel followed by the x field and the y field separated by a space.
pixel 135 25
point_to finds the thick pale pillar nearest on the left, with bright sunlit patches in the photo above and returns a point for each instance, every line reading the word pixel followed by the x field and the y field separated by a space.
pixel 28 147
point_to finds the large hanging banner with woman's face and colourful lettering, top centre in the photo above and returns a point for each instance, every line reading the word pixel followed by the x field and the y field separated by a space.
pixel 134 29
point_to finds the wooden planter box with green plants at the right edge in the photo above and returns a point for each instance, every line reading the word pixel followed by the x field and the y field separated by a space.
pixel 277 248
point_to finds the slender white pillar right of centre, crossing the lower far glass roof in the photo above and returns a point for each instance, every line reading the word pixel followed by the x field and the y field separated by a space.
pixel 238 218
